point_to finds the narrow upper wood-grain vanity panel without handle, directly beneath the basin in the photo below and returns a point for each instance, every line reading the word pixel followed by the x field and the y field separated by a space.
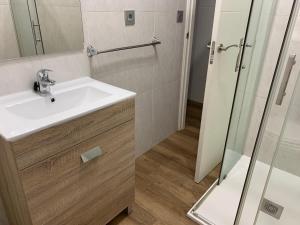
pixel 49 142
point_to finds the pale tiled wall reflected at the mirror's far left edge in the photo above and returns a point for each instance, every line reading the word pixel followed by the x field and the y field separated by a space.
pixel 8 40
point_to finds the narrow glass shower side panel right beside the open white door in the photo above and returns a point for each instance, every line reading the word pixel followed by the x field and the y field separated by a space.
pixel 249 77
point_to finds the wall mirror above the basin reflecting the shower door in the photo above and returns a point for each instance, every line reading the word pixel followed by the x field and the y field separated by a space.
pixel 38 27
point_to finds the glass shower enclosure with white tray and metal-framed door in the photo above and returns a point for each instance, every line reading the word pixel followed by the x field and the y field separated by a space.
pixel 259 181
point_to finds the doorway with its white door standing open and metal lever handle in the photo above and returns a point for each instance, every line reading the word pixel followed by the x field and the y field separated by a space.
pixel 213 70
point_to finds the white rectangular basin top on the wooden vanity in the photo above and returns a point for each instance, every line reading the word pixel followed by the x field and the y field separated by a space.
pixel 25 113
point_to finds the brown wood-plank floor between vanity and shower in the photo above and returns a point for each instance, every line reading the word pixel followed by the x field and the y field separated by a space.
pixel 165 187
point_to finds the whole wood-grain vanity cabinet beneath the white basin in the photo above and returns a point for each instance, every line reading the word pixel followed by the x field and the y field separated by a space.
pixel 45 179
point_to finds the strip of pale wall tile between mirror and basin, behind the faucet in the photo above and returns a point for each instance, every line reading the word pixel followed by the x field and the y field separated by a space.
pixel 19 75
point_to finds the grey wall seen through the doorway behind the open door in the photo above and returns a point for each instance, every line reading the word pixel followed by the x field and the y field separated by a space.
pixel 199 62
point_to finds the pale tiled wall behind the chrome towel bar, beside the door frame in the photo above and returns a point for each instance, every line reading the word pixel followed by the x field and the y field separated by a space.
pixel 153 73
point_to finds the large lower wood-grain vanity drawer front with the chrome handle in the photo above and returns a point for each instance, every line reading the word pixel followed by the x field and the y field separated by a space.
pixel 63 190
